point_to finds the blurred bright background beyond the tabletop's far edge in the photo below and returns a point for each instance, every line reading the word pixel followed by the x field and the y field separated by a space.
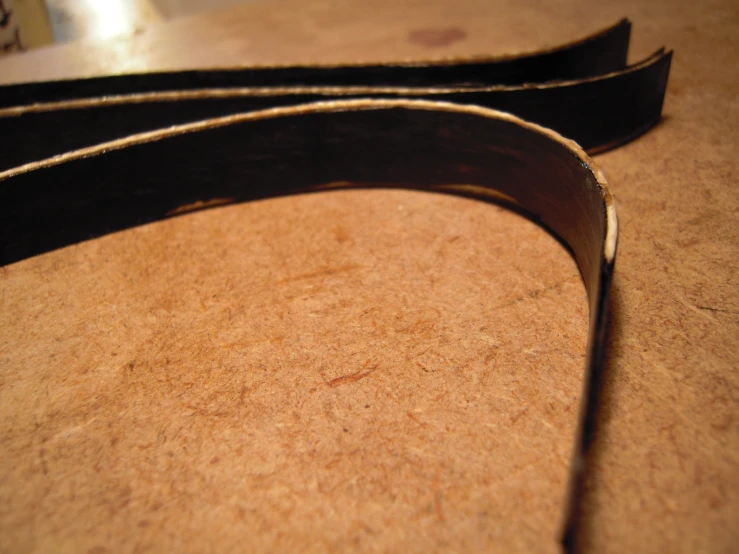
pixel 27 24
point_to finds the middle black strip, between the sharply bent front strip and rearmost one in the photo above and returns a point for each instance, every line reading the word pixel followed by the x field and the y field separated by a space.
pixel 598 112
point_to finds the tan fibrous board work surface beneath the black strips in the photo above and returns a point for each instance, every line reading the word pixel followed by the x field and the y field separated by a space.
pixel 378 371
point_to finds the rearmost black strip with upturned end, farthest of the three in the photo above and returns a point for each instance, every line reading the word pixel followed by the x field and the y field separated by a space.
pixel 600 53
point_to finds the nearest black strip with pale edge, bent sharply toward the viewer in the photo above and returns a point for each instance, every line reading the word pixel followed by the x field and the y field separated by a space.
pixel 413 144
